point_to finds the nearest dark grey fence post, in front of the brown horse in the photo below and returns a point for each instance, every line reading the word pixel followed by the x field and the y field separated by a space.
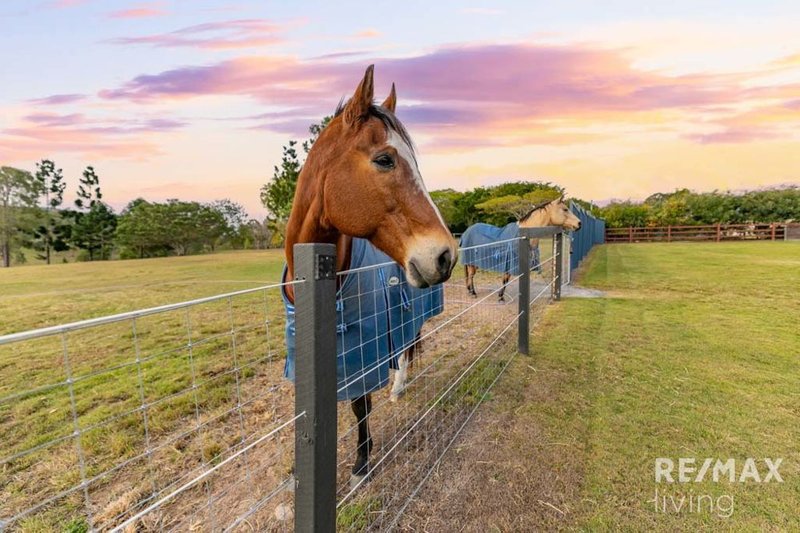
pixel 315 388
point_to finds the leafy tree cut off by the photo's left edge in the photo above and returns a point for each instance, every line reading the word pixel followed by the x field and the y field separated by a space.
pixel 19 192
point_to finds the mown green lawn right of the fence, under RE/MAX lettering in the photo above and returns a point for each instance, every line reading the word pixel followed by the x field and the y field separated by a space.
pixel 695 353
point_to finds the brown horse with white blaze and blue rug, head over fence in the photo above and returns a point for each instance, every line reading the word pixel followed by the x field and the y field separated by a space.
pixel 361 189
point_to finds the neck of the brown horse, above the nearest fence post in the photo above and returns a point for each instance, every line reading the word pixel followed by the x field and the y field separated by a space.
pixel 308 224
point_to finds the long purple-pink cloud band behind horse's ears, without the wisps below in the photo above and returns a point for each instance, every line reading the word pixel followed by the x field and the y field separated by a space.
pixel 545 80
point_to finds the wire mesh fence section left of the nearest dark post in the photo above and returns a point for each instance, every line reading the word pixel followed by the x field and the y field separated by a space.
pixel 171 418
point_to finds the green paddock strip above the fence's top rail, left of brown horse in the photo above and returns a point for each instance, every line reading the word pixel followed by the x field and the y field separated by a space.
pixel 45 295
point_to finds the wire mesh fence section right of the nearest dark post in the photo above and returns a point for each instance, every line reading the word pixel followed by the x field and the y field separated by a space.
pixel 458 357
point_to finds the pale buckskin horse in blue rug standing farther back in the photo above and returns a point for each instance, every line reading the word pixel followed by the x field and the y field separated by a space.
pixel 503 257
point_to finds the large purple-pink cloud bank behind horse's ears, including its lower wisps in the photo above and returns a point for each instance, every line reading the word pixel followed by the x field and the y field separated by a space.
pixel 506 92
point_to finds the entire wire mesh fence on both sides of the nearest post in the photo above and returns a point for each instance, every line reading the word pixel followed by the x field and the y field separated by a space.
pixel 179 418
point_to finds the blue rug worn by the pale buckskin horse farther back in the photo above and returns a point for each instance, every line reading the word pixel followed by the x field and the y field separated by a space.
pixel 478 248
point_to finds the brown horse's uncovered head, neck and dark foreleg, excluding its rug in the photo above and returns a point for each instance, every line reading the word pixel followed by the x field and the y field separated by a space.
pixel 361 179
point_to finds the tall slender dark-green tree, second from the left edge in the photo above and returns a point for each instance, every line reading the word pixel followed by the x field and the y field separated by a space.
pixel 52 232
